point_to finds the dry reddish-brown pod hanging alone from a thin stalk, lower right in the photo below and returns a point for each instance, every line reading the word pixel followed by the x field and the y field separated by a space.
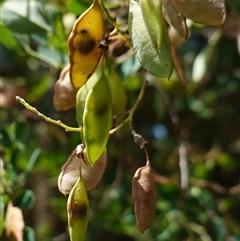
pixel 144 196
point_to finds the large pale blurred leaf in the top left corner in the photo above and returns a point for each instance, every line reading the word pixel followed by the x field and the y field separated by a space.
pixel 24 16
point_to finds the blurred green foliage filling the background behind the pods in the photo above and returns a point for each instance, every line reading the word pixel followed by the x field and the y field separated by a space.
pixel 202 117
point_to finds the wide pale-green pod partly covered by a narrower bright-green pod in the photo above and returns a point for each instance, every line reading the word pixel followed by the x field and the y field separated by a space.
pixel 155 61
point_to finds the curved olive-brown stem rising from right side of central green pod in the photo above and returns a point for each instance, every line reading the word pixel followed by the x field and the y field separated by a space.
pixel 132 111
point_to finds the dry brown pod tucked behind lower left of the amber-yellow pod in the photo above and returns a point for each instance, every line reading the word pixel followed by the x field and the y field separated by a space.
pixel 64 93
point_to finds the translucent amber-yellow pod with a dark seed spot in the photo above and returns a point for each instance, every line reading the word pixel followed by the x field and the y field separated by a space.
pixel 83 45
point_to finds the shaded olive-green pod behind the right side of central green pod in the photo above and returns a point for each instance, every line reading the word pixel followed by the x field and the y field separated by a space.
pixel 118 94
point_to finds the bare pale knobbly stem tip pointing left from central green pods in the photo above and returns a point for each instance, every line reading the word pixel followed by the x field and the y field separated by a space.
pixel 58 122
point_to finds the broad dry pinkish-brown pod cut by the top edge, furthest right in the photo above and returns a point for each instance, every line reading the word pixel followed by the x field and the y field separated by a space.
pixel 201 11
